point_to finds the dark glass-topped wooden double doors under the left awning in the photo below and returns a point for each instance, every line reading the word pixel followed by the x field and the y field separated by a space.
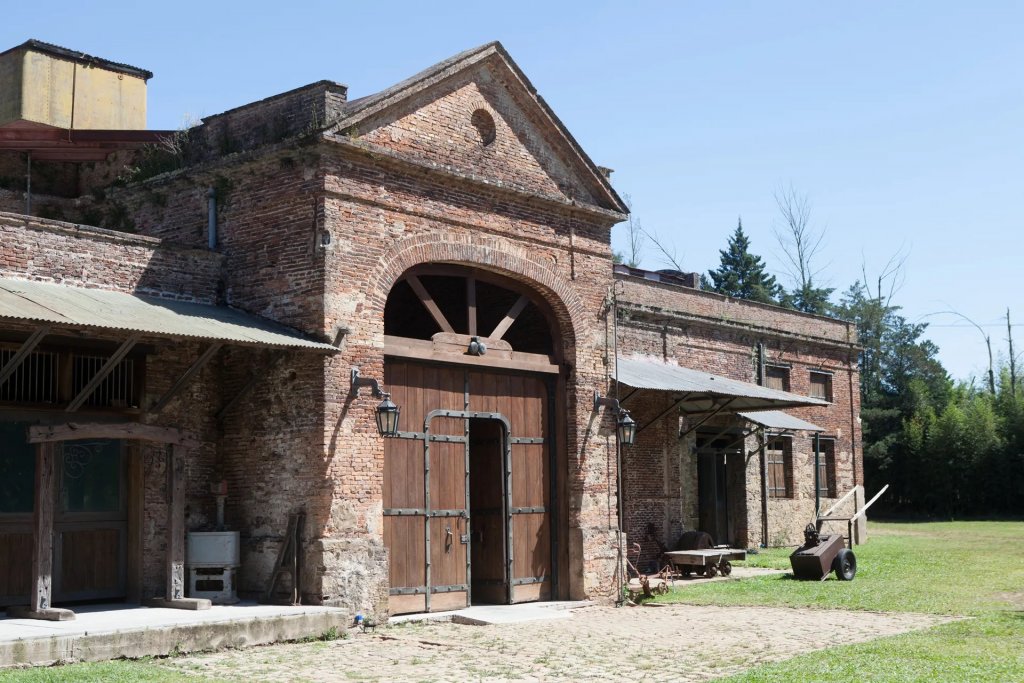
pixel 91 523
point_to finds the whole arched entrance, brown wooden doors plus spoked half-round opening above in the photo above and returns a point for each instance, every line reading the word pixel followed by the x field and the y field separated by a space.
pixel 476 486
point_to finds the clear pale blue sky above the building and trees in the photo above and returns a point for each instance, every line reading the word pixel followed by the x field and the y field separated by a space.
pixel 903 122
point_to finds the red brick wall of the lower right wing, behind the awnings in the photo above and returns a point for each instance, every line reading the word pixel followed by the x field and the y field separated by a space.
pixel 721 335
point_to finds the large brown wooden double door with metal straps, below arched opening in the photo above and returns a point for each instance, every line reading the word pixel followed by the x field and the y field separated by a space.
pixel 470 503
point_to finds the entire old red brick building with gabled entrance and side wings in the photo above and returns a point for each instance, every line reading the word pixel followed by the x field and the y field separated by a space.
pixel 249 290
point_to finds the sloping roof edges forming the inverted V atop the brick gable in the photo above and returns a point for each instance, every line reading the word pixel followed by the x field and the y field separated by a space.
pixel 364 108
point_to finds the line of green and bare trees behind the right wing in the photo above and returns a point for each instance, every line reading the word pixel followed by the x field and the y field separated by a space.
pixel 947 448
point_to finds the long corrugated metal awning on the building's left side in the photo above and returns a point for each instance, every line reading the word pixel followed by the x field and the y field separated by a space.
pixel 83 309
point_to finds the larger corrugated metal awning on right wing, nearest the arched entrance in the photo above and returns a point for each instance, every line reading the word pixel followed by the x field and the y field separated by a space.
pixel 699 392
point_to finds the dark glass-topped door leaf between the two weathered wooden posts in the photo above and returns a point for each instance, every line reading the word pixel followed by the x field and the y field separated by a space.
pixel 92 523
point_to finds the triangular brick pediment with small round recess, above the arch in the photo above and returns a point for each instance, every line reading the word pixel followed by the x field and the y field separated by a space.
pixel 477 116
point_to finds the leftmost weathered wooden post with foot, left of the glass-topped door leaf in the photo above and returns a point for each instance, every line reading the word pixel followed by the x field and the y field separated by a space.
pixel 42 548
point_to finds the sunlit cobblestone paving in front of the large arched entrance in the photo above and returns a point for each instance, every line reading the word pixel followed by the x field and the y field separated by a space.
pixel 653 644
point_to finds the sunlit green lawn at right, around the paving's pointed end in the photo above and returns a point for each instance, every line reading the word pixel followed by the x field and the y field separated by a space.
pixel 972 569
